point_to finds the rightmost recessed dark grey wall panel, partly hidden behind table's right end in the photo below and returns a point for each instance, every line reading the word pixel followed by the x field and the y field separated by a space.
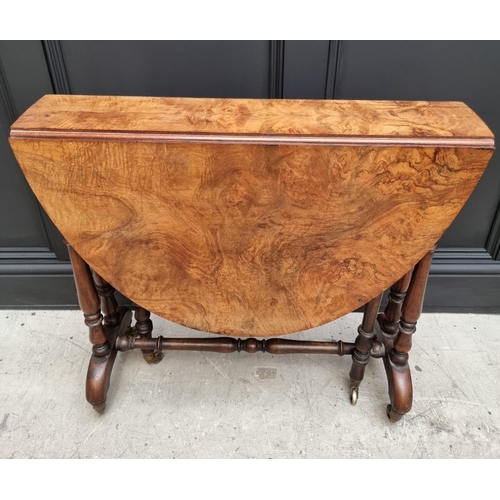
pixel 446 71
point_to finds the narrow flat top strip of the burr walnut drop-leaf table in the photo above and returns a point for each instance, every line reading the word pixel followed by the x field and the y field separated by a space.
pixel 252 120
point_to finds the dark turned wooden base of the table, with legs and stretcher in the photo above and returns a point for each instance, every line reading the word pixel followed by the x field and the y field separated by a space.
pixel 384 335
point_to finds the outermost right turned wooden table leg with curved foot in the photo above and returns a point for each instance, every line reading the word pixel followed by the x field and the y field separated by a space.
pixel 396 363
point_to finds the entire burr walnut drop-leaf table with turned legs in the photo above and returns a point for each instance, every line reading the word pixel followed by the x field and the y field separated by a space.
pixel 251 218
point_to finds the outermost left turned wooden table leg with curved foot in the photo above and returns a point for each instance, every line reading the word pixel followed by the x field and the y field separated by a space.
pixel 102 339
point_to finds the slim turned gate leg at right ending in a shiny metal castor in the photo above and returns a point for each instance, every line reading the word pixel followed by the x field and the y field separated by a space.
pixel 364 344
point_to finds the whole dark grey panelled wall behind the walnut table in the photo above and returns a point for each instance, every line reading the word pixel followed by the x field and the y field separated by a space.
pixel 34 270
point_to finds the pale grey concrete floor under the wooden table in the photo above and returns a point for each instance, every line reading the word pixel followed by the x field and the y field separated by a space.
pixel 208 405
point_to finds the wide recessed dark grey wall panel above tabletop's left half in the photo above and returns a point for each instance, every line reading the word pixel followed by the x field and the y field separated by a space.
pixel 184 69
